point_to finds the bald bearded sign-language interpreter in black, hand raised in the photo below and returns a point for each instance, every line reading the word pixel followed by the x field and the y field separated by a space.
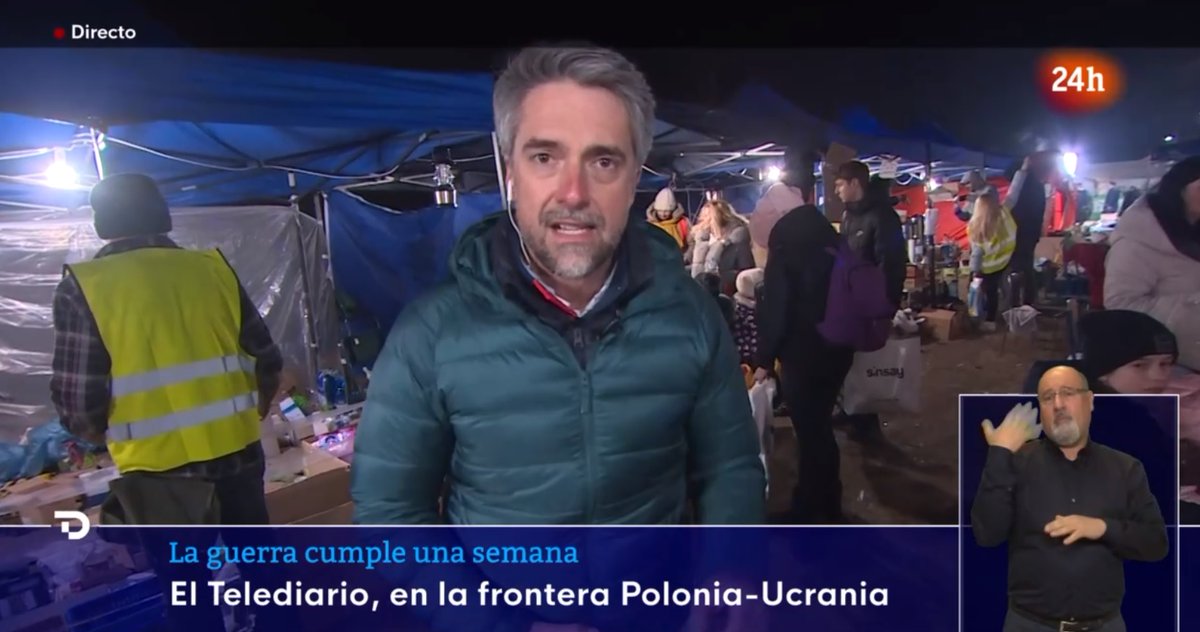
pixel 1072 511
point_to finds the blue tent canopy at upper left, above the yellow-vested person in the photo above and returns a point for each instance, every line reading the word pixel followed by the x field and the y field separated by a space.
pixel 215 129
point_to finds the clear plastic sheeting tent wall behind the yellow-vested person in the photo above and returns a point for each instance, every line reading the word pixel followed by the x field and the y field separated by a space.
pixel 279 255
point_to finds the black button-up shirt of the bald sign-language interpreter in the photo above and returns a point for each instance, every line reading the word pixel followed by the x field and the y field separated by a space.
pixel 1019 495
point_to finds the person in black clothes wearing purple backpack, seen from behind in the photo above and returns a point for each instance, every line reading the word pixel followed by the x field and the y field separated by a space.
pixel 794 302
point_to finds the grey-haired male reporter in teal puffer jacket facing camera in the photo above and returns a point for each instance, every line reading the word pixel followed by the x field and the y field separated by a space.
pixel 571 372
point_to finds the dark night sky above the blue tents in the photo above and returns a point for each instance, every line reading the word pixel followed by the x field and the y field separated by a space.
pixel 986 99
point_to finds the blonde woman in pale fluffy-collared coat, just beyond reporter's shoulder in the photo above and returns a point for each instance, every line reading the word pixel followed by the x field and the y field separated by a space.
pixel 721 244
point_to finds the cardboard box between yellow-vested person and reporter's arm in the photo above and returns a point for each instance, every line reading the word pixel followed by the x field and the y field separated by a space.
pixel 323 485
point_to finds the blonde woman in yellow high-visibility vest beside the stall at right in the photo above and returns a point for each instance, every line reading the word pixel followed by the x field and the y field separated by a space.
pixel 993 236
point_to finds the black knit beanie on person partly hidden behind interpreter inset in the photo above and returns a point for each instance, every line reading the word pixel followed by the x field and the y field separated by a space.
pixel 1112 339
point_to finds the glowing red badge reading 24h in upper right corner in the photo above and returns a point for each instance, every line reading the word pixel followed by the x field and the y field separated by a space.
pixel 1079 82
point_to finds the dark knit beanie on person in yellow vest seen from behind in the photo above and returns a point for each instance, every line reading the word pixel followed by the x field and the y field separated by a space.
pixel 129 206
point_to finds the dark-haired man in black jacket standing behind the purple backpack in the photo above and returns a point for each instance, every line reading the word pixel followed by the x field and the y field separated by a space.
pixel 874 232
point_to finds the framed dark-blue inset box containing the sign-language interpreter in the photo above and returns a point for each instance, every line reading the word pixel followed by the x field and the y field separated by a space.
pixel 1070 505
